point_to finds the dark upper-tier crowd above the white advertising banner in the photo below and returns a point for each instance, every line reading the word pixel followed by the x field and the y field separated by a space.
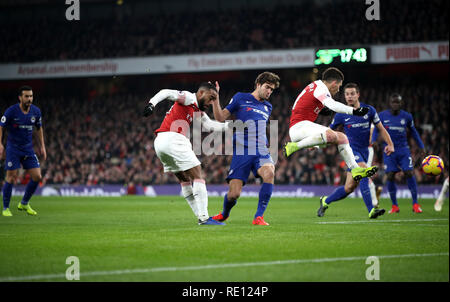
pixel 307 24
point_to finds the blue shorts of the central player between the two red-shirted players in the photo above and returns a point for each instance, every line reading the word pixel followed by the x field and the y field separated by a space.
pixel 241 165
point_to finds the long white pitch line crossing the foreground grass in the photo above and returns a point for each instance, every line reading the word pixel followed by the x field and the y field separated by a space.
pixel 212 266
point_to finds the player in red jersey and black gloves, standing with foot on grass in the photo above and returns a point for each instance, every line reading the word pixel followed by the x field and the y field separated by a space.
pixel 174 149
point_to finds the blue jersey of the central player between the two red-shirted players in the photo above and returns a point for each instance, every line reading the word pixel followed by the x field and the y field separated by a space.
pixel 255 114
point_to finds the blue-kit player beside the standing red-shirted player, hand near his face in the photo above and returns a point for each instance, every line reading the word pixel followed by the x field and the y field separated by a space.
pixel 250 152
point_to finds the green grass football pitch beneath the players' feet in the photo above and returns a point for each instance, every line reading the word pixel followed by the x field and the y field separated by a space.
pixel 136 238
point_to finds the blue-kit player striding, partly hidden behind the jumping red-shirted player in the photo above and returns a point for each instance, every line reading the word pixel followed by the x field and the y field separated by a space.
pixel 357 129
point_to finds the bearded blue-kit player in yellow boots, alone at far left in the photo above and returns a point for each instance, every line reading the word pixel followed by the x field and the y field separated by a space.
pixel 19 122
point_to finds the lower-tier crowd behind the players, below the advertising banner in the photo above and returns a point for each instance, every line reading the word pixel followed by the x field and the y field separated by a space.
pixel 103 139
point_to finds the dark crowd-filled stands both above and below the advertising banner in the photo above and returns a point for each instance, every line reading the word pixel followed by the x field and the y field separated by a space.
pixel 94 130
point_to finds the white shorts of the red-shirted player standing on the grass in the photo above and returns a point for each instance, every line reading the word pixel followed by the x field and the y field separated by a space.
pixel 175 152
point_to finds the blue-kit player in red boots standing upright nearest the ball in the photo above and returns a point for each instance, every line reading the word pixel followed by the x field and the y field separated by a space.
pixel 396 122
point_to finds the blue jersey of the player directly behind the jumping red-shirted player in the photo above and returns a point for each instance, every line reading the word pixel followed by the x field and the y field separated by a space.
pixel 357 128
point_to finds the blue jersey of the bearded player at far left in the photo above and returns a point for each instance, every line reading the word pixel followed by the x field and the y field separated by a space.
pixel 20 126
